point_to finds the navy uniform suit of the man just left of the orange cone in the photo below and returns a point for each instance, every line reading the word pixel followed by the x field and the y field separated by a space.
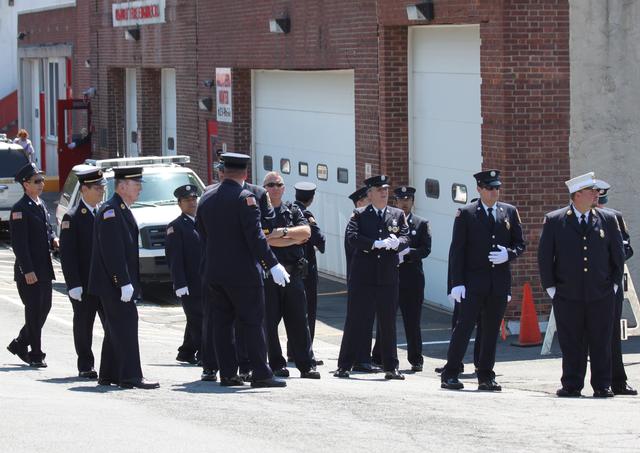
pixel 487 285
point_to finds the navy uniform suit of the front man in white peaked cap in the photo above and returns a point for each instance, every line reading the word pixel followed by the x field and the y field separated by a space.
pixel 582 263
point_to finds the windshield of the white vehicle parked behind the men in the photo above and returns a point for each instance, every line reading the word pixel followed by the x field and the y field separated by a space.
pixel 158 188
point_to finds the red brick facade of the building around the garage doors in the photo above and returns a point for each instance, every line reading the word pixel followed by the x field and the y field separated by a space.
pixel 524 96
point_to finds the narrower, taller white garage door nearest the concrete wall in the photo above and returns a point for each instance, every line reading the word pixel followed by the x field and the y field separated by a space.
pixel 444 134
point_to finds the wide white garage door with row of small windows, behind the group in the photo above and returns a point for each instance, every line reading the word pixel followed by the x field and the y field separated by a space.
pixel 305 124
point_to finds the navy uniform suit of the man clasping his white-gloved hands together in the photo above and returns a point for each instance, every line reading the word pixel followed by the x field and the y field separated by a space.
pixel 373 281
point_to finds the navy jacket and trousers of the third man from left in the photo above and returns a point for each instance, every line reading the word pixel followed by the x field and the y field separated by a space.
pixel 114 263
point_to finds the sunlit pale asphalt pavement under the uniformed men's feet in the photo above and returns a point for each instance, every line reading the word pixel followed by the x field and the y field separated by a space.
pixel 53 410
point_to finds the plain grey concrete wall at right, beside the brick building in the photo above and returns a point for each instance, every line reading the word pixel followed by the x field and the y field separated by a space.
pixel 605 100
